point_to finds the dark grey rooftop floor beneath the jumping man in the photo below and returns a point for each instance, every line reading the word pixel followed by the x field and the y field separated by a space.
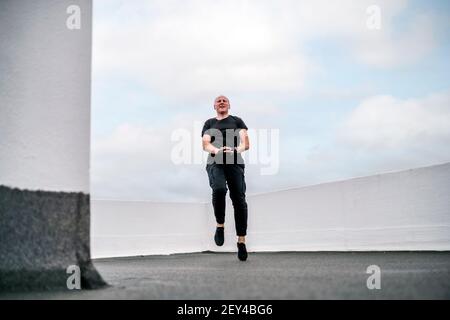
pixel 278 275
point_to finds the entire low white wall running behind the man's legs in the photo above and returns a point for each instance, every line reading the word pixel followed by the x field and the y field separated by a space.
pixel 408 210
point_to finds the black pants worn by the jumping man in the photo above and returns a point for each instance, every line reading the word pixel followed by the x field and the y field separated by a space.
pixel 221 175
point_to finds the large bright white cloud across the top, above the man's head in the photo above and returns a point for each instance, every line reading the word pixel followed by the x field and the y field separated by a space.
pixel 191 49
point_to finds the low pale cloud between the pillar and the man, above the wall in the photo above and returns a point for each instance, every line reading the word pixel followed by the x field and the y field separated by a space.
pixel 134 162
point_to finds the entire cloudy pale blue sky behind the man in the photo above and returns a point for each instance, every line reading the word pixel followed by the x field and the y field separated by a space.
pixel 330 90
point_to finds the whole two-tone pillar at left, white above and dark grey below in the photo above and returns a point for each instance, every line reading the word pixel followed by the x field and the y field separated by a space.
pixel 45 79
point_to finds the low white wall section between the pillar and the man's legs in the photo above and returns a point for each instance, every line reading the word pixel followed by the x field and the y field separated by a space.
pixel 128 228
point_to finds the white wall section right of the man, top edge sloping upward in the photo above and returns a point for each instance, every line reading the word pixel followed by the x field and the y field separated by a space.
pixel 407 210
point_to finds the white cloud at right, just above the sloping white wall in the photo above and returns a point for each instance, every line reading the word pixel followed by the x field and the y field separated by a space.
pixel 382 134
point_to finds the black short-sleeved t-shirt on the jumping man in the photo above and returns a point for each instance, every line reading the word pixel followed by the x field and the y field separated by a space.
pixel 223 133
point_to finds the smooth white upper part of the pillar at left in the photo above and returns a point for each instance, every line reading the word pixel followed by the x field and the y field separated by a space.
pixel 44 96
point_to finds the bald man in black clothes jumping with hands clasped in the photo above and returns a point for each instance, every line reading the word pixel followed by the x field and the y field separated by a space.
pixel 225 138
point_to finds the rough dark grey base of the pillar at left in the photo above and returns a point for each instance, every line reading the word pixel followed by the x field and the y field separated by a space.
pixel 42 233
